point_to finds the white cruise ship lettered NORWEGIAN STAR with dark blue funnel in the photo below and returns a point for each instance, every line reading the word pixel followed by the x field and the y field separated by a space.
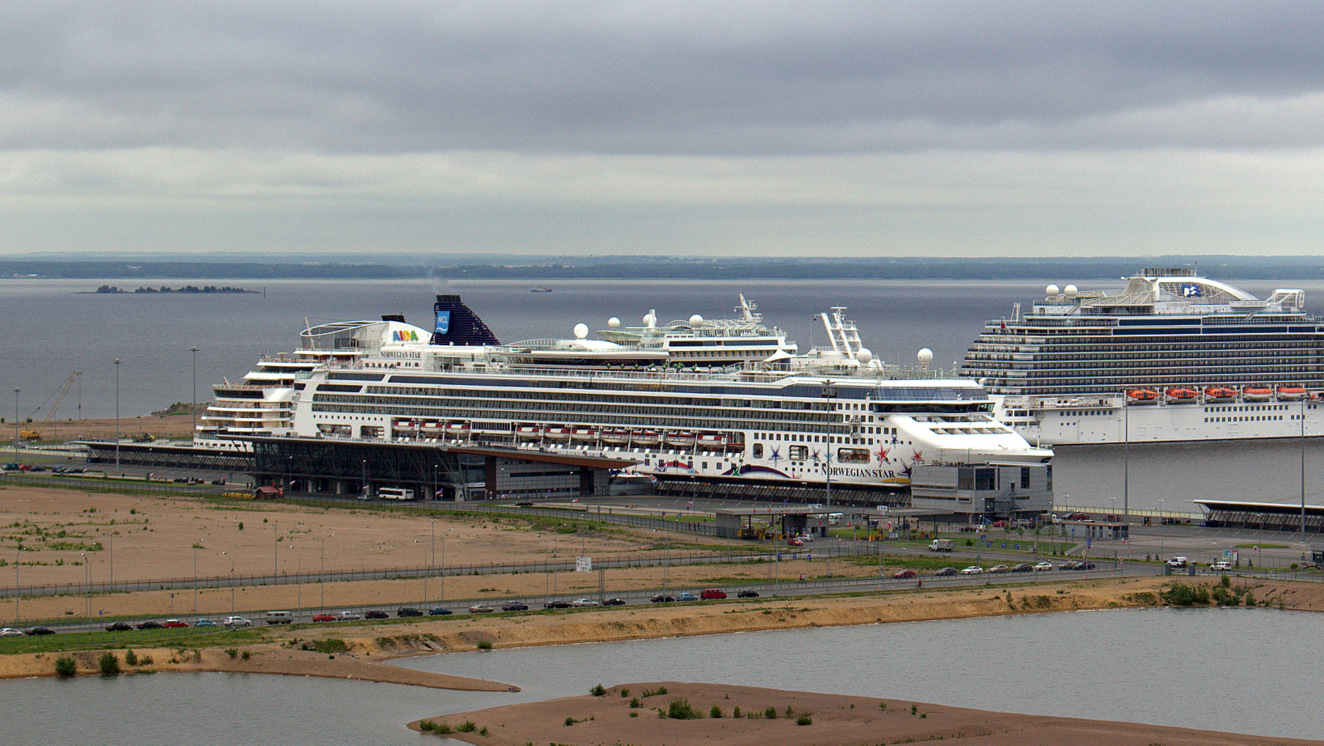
pixel 832 419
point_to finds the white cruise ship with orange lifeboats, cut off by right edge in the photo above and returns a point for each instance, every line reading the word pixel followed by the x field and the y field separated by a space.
pixel 1174 357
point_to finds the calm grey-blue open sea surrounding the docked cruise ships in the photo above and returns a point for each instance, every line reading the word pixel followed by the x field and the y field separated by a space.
pixel 56 328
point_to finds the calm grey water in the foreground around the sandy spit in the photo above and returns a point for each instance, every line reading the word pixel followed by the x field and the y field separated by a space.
pixel 1237 671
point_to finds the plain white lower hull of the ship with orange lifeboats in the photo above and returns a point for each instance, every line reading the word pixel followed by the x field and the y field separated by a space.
pixel 1101 421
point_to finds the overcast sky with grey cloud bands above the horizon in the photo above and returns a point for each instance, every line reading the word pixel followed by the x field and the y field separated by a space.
pixel 704 129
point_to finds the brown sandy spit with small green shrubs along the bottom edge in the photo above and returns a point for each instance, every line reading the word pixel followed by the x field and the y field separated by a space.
pixel 833 720
